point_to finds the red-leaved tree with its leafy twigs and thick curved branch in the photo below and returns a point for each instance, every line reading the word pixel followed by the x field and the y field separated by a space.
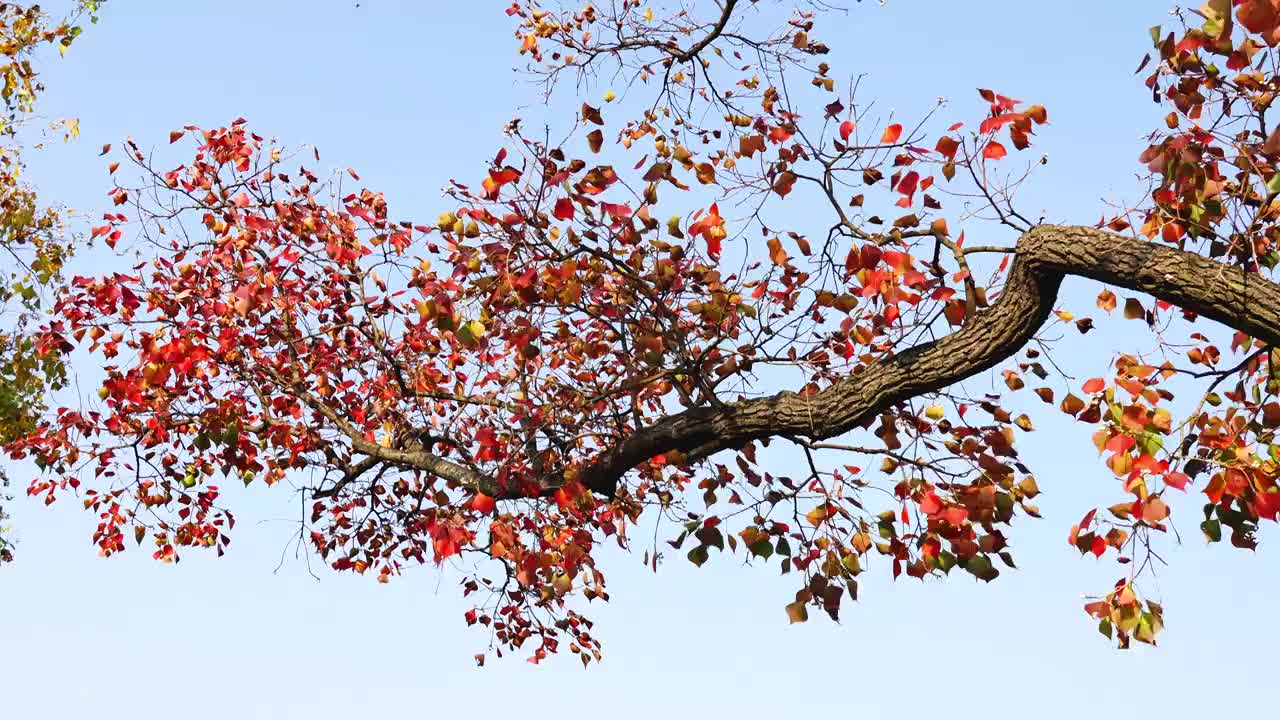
pixel 618 321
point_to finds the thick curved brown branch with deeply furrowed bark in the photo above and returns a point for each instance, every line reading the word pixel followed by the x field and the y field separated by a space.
pixel 1044 257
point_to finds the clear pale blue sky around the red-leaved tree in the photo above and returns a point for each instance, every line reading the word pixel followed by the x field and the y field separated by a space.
pixel 413 93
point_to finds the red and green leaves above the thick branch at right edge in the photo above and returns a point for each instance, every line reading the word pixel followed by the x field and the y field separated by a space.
pixel 1217 165
